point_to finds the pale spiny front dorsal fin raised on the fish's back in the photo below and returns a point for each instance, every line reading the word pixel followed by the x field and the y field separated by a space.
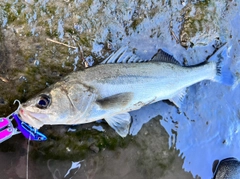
pixel 122 56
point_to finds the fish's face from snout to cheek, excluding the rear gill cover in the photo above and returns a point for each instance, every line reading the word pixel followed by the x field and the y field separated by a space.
pixel 49 107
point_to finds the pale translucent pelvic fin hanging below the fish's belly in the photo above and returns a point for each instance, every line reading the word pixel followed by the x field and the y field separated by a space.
pixel 120 123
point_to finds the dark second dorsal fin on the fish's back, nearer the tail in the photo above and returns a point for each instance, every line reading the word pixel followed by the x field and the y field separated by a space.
pixel 162 56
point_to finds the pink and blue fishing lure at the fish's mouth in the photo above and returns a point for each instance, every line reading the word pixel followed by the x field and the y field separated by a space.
pixel 7 130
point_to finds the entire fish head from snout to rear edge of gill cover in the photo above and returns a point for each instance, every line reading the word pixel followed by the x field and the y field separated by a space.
pixel 62 103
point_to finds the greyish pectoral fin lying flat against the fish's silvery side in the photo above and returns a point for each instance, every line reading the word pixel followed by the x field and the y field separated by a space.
pixel 116 101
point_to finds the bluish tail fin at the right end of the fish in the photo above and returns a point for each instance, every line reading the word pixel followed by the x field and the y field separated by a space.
pixel 223 61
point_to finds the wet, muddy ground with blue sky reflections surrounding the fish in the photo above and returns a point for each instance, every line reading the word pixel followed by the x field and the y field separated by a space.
pixel 42 41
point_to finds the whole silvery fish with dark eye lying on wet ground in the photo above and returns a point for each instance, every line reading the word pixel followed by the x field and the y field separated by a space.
pixel 121 83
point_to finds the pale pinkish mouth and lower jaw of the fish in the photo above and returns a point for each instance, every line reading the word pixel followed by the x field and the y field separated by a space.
pixel 33 119
